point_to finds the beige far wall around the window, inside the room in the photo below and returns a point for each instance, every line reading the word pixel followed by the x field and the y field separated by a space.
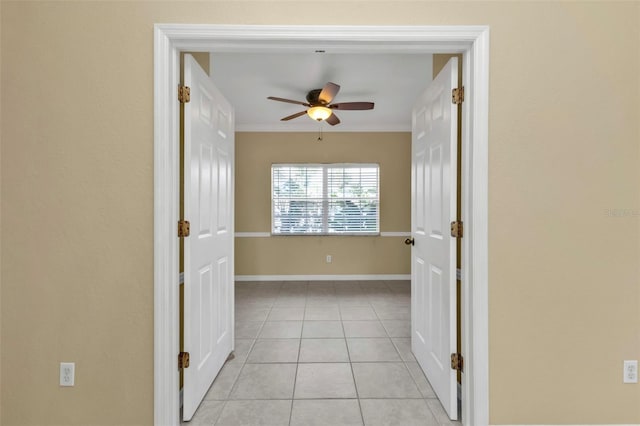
pixel 304 255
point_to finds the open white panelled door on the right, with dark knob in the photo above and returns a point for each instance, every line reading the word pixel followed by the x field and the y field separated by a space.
pixel 433 208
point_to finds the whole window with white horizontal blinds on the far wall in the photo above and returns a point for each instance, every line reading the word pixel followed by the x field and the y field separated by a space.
pixel 325 199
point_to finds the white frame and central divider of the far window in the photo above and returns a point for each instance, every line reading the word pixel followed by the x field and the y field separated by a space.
pixel 325 199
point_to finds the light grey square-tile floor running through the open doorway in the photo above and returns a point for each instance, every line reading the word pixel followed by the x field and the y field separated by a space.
pixel 322 354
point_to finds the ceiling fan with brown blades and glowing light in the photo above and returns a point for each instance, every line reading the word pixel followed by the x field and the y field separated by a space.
pixel 320 106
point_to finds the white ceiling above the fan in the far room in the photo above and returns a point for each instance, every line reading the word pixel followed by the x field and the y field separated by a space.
pixel 392 81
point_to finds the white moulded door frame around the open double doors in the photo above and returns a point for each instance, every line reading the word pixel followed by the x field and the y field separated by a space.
pixel 471 41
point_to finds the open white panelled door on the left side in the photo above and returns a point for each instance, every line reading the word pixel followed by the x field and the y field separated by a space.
pixel 208 251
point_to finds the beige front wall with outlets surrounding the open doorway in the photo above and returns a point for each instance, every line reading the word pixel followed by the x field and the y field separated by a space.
pixel 77 200
